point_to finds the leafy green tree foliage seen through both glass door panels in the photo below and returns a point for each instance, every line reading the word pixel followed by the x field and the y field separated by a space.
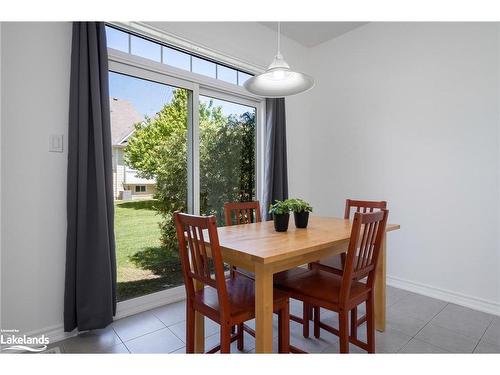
pixel 158 149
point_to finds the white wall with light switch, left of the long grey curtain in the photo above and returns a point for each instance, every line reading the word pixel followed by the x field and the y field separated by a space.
pixel 35 95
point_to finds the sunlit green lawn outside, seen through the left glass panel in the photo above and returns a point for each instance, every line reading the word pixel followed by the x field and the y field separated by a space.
pixel 139 251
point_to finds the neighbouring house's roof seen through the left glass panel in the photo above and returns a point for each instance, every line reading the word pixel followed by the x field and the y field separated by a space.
pixel 123 118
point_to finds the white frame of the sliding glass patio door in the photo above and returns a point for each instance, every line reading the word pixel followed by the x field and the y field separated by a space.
pixel 138 67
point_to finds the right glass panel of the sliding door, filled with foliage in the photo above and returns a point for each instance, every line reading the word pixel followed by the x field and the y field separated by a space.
pixel 227 154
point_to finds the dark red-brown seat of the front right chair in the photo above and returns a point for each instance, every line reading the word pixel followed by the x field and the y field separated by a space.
pixel 319 287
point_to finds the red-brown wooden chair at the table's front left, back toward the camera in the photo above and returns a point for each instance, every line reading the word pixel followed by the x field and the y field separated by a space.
pixel 229 302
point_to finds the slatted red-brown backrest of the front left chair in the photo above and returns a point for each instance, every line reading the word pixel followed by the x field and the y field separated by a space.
pixel 200 263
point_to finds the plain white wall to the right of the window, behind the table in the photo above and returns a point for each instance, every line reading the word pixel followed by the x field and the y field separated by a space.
pixel 409 113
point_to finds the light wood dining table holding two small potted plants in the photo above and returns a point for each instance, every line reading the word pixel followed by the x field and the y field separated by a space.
pixel 260 249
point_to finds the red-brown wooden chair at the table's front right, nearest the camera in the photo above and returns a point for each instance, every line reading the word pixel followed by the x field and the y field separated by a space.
pixel 344 293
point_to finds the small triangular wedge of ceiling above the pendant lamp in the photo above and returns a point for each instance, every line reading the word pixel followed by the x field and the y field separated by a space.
pixel 311 34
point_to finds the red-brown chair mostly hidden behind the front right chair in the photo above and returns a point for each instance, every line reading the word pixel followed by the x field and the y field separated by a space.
pixel 336 263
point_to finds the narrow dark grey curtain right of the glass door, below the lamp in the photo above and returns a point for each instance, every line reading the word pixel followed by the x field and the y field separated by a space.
pixel 275 170
